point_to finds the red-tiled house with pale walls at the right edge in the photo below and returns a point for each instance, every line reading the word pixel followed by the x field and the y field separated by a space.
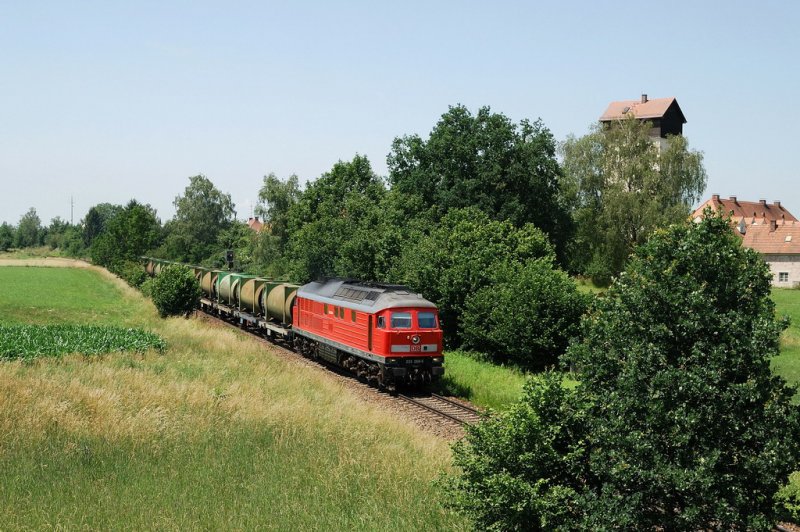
pixel 769 229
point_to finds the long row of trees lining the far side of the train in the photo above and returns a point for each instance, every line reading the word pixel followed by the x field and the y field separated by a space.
pixel 473 216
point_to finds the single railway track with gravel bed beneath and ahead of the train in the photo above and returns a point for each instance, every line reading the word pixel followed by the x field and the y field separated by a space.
pixel 441 407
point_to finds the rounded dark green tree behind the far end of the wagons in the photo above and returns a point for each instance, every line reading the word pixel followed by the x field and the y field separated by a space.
pixel 127 236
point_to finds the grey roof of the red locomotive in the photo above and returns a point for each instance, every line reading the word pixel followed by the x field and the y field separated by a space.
pixel 365 297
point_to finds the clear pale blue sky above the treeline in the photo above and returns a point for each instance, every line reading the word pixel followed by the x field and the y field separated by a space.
pixel 107 101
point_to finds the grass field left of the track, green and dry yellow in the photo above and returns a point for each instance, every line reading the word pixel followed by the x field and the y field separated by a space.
pixel 213 434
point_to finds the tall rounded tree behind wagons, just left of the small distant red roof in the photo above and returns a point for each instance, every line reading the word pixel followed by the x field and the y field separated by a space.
pixel 201 214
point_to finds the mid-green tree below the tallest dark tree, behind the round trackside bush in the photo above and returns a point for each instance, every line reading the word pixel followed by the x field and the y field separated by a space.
pixel 457 258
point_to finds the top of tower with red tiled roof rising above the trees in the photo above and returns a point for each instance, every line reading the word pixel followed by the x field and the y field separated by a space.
pixel 664 114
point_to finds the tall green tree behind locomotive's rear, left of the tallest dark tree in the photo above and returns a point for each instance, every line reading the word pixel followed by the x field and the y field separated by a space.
pixel 330 225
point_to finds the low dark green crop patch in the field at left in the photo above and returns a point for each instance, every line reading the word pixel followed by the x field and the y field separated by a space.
pixel 29 341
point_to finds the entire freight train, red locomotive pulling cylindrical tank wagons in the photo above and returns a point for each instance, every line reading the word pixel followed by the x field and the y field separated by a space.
pixel 385 334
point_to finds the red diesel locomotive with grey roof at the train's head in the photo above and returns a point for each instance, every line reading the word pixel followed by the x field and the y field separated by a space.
pixel 383 333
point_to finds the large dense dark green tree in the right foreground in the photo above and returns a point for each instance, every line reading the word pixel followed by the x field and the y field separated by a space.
pixel 678 422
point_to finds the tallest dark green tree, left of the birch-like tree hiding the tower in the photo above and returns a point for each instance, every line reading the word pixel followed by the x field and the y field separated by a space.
pixel 485 161
